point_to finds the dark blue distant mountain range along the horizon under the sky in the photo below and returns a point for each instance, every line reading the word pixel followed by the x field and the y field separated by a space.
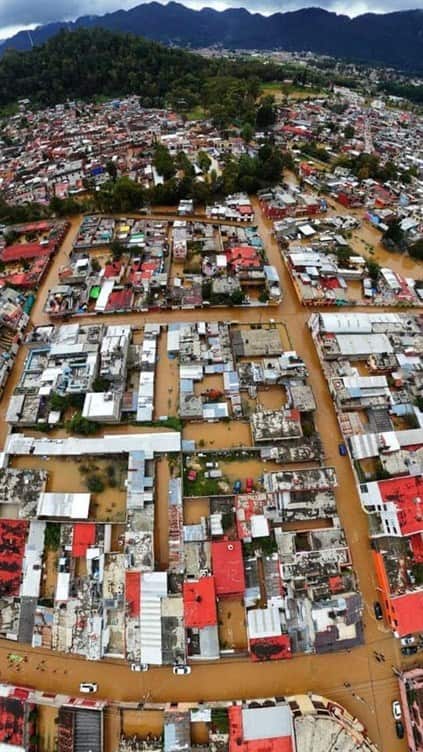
pixel 391 39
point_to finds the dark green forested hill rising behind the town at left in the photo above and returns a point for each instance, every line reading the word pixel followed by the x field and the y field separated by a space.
pixel 89 63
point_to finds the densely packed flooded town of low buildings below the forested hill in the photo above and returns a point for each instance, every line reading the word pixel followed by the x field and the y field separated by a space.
pixel 211 435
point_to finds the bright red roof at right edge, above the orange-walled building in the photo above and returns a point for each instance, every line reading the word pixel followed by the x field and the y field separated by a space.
pixel 407 495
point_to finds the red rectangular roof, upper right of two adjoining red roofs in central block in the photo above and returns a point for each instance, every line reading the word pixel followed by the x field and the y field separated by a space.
pixel 228 568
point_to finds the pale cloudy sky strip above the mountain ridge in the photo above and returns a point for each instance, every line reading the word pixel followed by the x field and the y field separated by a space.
pixel 18 14
